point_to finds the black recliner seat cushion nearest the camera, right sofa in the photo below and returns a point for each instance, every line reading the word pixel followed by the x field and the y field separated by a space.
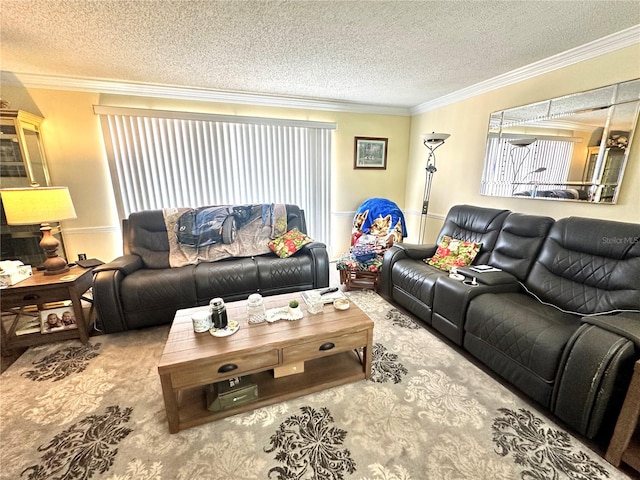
pixel 528 337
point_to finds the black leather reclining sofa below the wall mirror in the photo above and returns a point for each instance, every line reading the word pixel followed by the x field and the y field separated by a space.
pixel 559 321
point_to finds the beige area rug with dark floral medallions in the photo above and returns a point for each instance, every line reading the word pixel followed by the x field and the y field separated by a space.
pixel 72 411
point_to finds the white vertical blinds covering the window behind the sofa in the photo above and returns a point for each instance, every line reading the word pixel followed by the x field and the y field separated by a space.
pixel 176 159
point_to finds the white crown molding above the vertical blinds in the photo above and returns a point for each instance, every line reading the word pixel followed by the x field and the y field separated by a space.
pixel 77 84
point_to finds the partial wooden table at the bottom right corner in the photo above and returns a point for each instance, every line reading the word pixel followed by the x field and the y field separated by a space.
pixel 624 445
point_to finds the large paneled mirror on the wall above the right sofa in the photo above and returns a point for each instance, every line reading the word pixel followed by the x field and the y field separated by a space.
pixel 571 148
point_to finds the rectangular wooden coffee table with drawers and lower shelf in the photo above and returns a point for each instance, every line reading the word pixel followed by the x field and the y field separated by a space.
pixel 325 346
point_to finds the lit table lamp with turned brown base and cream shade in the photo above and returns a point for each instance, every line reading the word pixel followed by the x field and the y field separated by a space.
pixel 40 205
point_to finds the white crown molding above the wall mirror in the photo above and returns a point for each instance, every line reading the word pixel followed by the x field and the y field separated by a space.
pixel 624 38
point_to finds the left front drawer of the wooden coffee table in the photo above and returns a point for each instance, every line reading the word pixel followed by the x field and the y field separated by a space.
pixel 226 367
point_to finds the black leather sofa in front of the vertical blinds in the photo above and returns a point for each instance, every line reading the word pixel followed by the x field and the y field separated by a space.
pixel 140 289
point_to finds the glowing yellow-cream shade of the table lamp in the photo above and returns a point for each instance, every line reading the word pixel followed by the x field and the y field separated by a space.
pixel 36 205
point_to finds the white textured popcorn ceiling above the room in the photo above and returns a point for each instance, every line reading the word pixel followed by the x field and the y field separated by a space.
pixel 392 53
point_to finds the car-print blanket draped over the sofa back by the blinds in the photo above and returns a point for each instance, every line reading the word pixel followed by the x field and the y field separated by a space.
pixel 207 234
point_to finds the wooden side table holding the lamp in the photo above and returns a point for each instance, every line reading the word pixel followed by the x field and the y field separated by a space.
pixel 39 290
